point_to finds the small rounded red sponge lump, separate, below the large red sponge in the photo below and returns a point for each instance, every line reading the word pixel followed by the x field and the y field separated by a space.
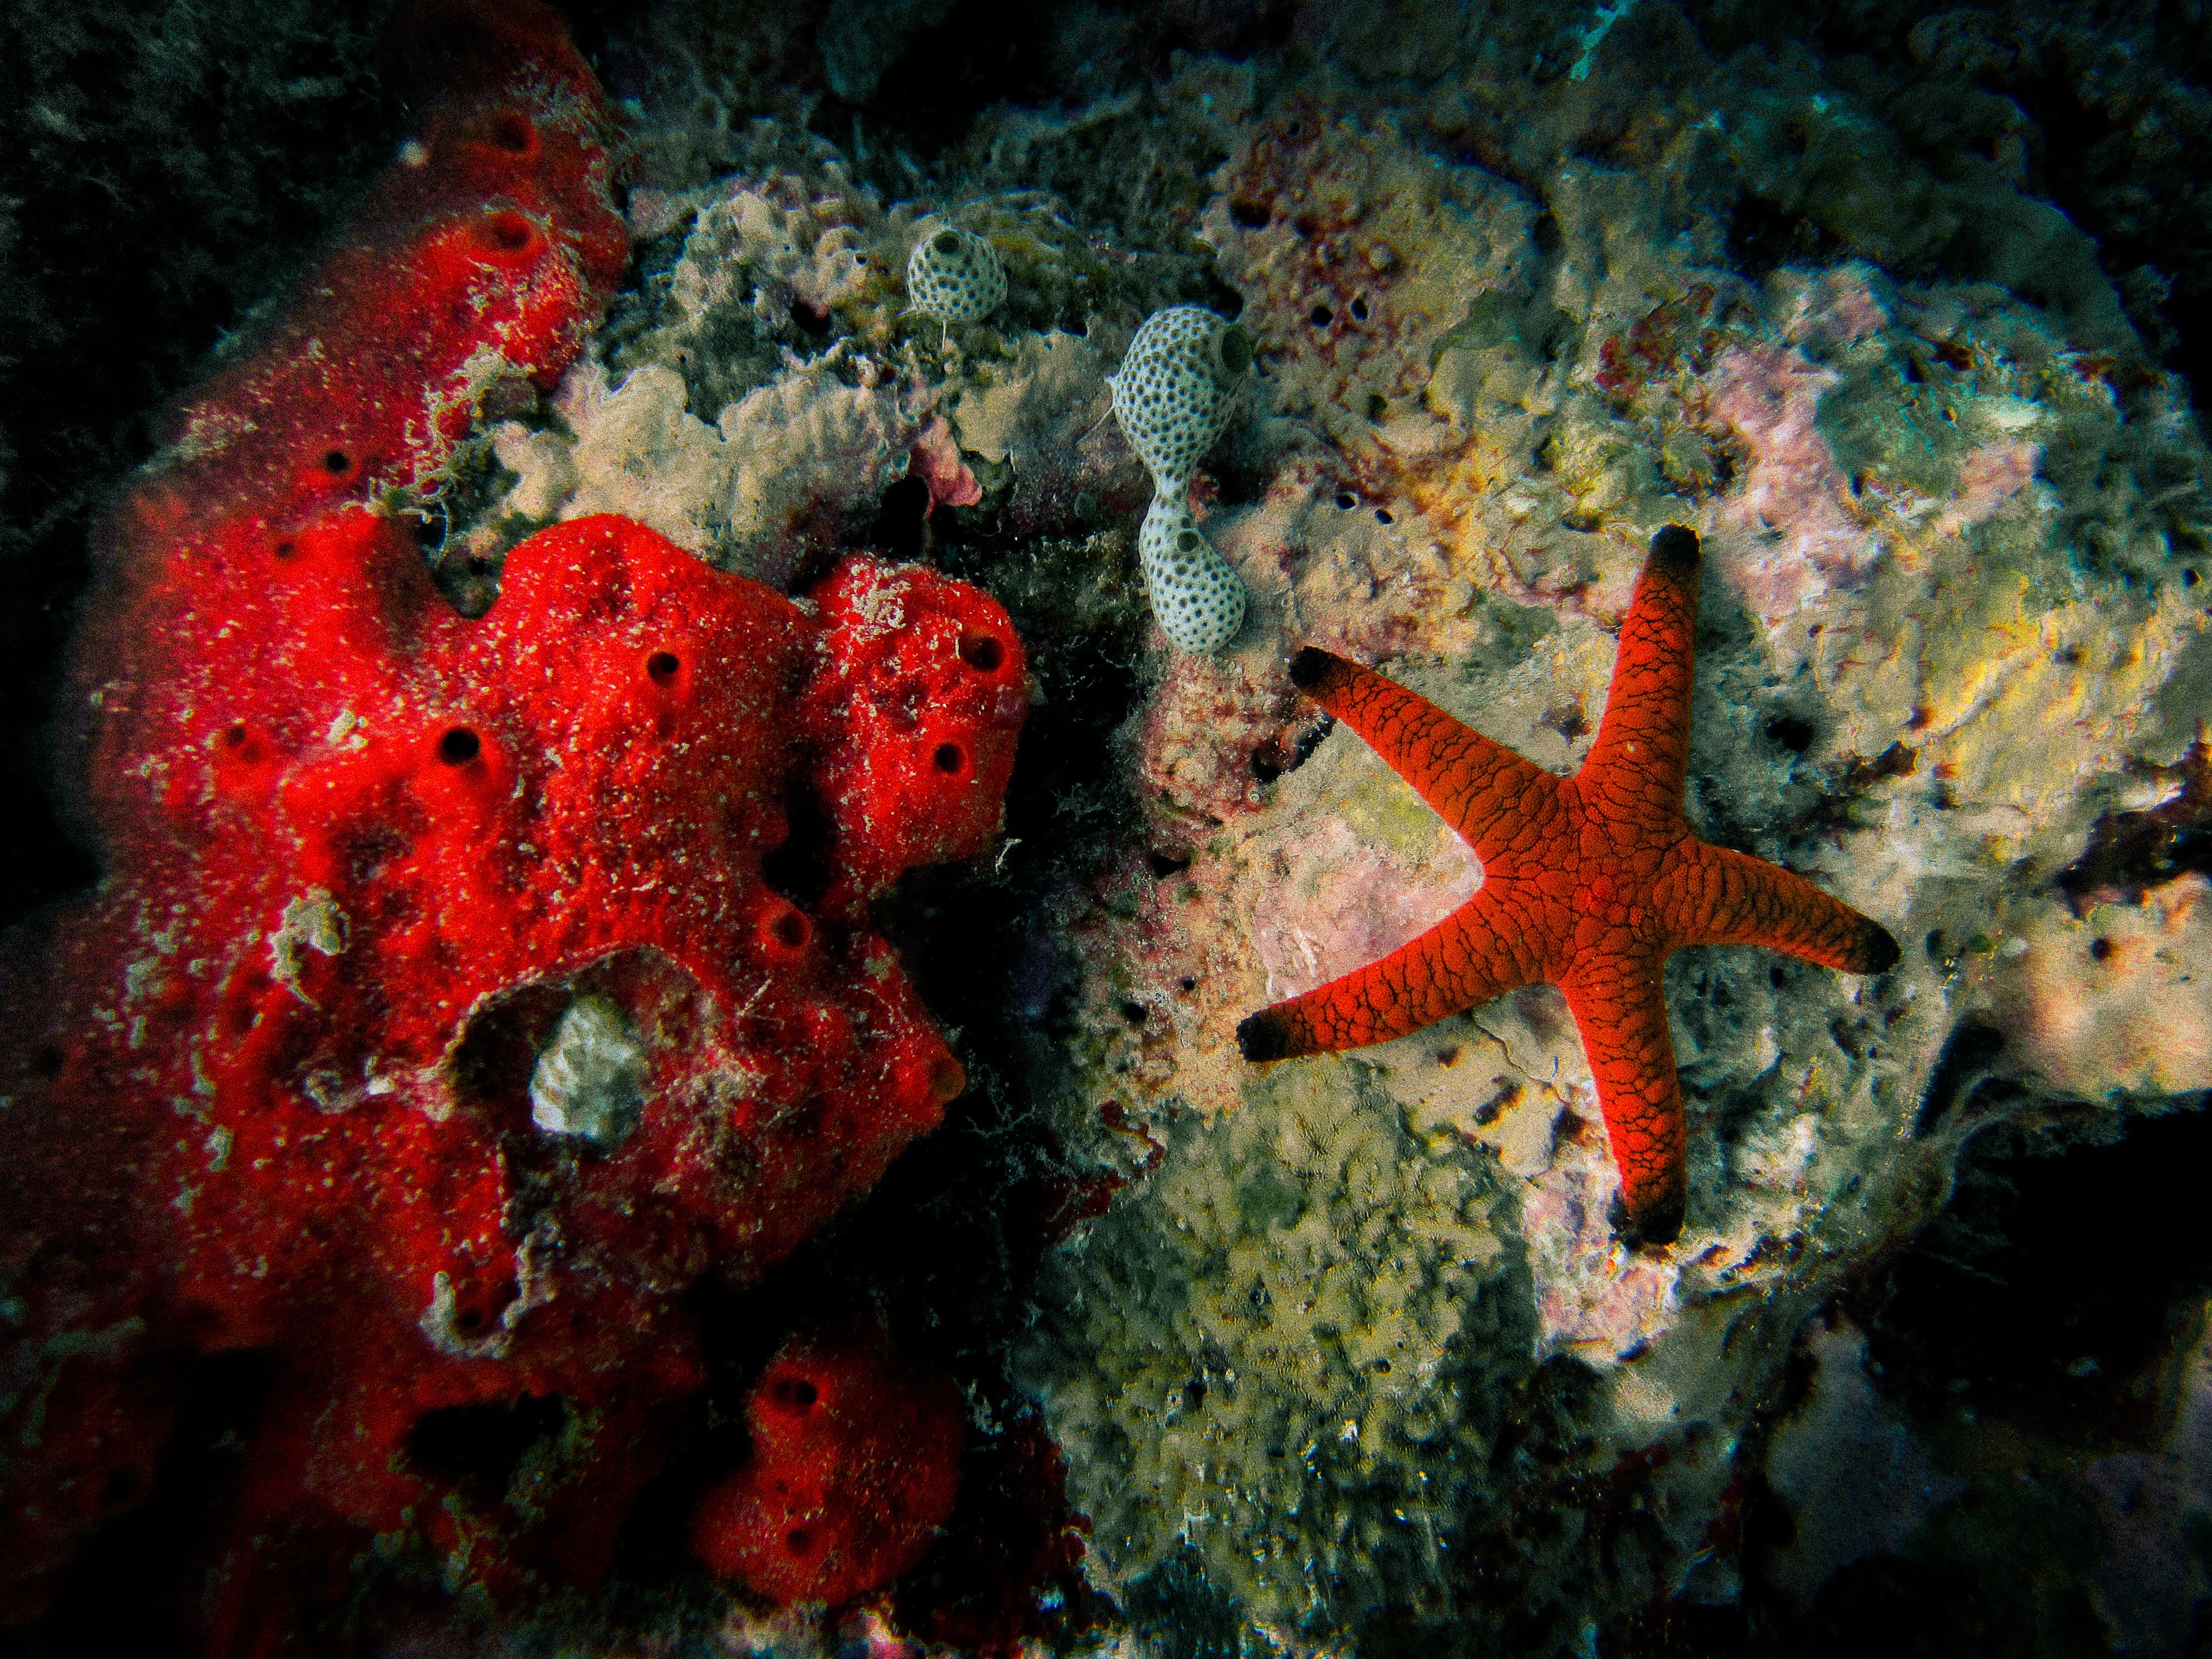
pixel 855 1468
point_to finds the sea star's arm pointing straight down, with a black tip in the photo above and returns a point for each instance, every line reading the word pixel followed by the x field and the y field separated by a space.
pixel 1620 1014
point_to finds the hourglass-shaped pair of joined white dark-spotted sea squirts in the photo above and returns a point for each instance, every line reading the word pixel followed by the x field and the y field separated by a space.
pixel 1173 397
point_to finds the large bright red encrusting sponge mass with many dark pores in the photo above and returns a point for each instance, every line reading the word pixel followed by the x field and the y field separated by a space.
pixel 459 990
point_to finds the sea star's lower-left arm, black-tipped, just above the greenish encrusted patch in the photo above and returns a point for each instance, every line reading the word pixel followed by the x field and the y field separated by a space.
pixel 1454 966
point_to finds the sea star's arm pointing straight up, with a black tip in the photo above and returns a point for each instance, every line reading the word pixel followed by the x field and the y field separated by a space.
pixel 1636 764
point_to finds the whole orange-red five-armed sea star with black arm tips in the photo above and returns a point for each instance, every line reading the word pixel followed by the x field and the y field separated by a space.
pixel 1587 881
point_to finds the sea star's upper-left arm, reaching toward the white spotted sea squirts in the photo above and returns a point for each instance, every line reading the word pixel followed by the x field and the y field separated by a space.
pixel 1474 784
